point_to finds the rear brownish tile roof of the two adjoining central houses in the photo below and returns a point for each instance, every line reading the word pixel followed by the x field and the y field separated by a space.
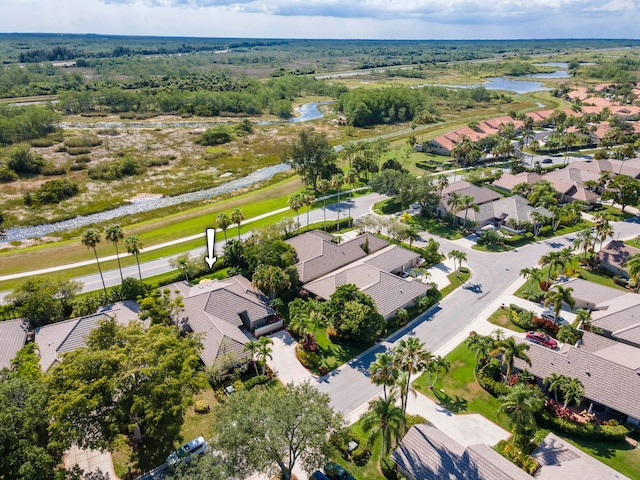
pixel 317 255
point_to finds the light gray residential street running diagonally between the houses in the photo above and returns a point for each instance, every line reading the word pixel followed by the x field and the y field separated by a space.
pixel 349 387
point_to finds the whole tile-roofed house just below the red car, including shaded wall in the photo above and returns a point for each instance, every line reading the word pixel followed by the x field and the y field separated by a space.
pixel 602 372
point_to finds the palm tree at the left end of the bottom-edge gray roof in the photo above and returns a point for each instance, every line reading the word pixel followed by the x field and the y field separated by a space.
pixel 383 419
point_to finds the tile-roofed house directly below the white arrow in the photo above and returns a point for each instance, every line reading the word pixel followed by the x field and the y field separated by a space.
pixel 228 313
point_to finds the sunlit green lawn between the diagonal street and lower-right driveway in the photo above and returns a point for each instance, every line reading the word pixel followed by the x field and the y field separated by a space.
pixel 458 390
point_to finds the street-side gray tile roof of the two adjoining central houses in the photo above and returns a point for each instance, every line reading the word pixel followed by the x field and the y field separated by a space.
pixel 380 276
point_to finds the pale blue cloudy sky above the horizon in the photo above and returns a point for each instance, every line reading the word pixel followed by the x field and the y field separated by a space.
pixel 366 19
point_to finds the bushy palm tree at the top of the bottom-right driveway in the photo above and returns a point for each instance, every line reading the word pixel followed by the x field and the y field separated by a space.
pixel 521 405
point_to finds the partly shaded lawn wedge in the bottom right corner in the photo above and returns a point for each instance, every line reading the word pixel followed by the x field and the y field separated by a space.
pixel 618 455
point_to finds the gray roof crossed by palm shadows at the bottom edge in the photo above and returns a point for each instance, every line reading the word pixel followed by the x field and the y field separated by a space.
pixel 427 453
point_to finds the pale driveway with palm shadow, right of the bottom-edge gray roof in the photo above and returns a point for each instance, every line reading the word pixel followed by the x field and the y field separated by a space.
pixel 560 459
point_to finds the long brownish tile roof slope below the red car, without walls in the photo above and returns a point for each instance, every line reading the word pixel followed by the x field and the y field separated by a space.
pixel 605 381
